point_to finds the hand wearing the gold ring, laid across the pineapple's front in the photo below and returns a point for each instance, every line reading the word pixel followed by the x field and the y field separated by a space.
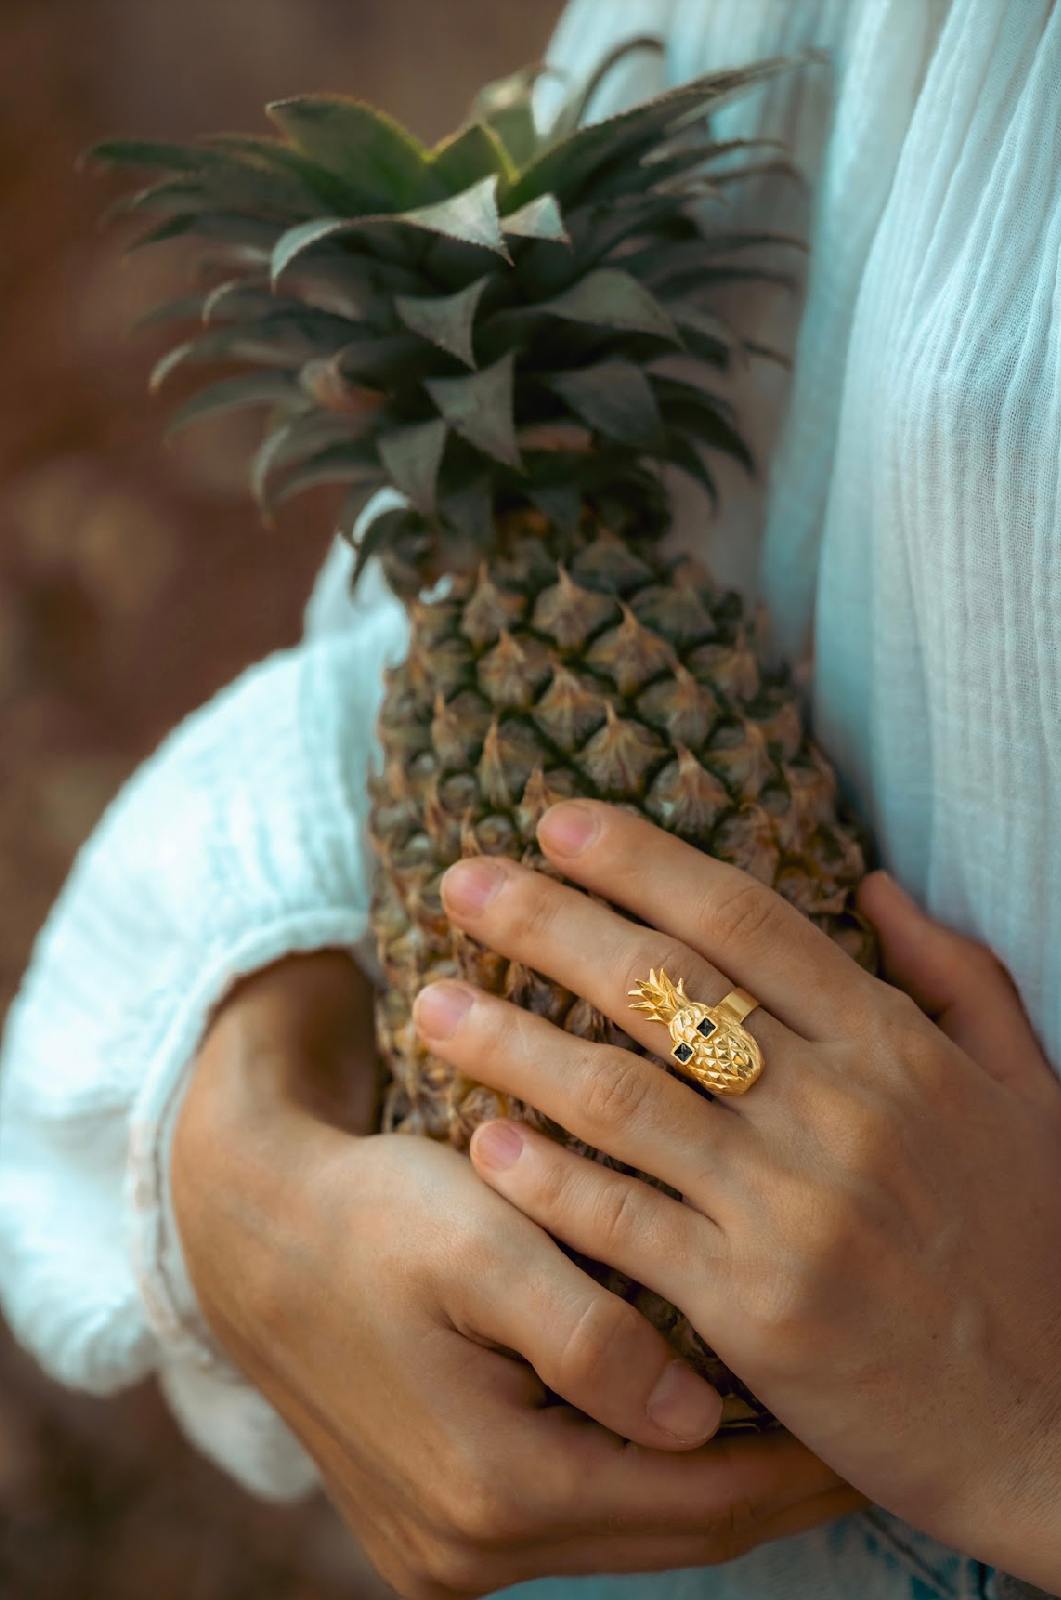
pixel 871 1238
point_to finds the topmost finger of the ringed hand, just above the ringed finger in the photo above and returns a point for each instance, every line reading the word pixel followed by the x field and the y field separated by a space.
pixel 750 932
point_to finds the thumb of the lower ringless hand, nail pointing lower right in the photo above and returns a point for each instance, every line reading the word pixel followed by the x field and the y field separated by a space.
pixel 587 1345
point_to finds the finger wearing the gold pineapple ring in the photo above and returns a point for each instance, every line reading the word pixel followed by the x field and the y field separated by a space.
pixel 585 946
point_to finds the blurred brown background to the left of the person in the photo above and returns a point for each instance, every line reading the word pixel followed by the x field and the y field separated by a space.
pixel 134 583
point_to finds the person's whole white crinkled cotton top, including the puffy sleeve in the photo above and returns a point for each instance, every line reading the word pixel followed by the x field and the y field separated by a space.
pixel 908 529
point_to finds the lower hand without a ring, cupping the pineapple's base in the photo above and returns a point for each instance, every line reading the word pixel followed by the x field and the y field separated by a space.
pixel 382 1298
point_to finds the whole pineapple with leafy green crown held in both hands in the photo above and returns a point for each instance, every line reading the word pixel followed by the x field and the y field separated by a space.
pixel 516 330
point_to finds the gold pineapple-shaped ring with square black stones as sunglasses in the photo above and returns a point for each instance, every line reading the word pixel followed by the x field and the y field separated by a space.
pixel 710 1042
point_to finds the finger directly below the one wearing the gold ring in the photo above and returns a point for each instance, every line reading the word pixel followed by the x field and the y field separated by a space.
pixel 607 1097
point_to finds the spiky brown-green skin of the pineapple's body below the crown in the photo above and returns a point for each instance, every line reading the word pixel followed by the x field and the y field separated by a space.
pixel 582 666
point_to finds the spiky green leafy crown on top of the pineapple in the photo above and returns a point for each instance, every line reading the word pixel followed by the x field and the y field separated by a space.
pixel 486 324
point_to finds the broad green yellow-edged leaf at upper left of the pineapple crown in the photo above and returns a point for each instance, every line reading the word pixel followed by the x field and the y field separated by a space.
pixel 362 146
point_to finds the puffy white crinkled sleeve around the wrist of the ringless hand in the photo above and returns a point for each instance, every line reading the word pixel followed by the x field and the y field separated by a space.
pixel 239 841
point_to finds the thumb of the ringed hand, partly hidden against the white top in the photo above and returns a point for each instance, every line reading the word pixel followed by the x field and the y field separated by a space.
pixel 959 985
